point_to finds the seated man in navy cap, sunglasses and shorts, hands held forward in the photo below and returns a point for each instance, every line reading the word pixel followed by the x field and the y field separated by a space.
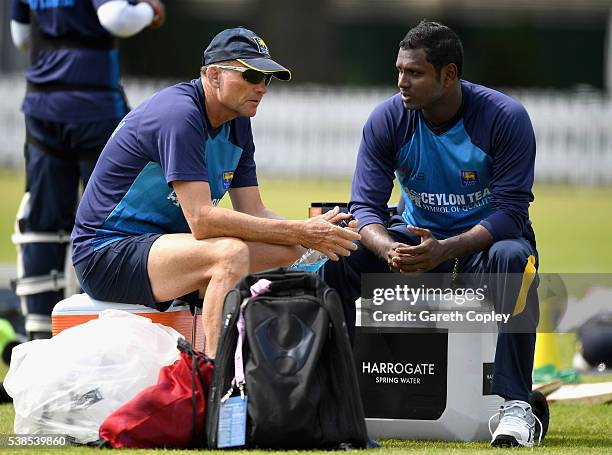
pixel 148 229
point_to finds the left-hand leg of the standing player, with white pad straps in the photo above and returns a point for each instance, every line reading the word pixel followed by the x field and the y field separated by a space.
pixel 51 182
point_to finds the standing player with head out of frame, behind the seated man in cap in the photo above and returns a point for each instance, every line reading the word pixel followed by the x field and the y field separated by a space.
pixel 72 104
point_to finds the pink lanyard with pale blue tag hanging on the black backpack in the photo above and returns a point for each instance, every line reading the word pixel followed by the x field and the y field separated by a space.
pixel 231 431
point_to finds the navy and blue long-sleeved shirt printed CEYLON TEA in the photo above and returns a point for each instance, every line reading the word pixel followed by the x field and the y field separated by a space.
pixel 478 170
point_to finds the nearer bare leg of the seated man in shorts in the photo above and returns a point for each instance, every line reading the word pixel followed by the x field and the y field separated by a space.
pixel 179 264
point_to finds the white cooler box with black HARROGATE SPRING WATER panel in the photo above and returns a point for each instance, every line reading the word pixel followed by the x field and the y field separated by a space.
pixel 425 383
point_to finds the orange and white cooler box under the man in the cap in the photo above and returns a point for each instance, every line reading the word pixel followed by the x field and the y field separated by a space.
pixel 81 308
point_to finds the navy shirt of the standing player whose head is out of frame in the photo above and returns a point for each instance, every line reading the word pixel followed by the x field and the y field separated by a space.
pixel 74 20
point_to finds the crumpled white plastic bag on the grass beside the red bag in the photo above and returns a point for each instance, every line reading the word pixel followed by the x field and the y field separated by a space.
pixel 70 383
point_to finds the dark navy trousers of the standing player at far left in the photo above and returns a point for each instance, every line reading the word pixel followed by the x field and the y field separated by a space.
pixel 59 156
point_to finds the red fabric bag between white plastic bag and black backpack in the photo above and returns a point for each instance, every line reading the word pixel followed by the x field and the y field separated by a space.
pixel 170 413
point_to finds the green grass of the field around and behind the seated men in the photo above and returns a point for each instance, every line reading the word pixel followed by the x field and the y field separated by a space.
pixel 573 227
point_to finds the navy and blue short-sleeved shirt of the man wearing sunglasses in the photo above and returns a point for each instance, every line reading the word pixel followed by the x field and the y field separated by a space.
pixel 166 138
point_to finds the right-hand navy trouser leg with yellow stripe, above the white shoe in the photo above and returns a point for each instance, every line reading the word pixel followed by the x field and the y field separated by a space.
pixel 509 268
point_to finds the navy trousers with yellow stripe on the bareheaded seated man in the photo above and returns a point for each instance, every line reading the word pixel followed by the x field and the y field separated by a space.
pixel 500 267
